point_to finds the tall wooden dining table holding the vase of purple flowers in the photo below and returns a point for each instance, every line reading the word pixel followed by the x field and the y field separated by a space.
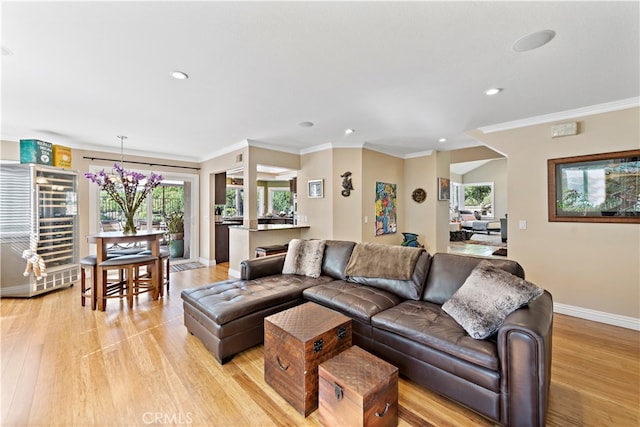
pixel 105 239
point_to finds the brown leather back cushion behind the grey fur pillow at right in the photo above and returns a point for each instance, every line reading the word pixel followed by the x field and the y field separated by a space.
pixel 449 271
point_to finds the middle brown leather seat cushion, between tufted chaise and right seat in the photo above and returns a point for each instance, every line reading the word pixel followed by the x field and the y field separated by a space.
pixel 354 300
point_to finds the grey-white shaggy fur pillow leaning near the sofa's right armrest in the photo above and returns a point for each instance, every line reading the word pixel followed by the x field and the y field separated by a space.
pixel 487 297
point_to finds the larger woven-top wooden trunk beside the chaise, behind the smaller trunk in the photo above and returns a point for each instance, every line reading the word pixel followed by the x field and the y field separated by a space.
pixel 296 341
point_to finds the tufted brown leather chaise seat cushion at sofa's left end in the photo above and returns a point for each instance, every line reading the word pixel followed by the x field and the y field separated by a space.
pixel 229 300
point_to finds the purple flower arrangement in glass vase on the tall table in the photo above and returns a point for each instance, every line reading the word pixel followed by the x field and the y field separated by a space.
pixel 126 189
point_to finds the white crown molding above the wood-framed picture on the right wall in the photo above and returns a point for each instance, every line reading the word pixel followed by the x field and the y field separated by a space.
pixel 564 115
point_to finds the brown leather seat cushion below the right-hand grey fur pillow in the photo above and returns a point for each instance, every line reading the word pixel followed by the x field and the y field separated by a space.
pixel 427 324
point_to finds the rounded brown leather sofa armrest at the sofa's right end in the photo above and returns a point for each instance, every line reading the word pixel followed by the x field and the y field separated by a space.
pixel 524 348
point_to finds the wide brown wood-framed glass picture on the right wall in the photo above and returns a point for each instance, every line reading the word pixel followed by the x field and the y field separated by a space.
pixel 595 188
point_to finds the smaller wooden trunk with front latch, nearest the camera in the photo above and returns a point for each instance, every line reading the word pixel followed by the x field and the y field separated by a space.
pixel 358 389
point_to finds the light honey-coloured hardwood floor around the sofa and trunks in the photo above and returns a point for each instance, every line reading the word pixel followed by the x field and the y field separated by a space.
pixel 65 365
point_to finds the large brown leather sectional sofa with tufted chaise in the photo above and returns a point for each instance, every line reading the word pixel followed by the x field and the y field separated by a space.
pixel 504 377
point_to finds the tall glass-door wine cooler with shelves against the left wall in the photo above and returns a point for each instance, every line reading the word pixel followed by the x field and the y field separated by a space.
pixel 38 229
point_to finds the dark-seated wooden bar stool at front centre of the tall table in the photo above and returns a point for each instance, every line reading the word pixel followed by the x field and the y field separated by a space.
pixel 135 283
